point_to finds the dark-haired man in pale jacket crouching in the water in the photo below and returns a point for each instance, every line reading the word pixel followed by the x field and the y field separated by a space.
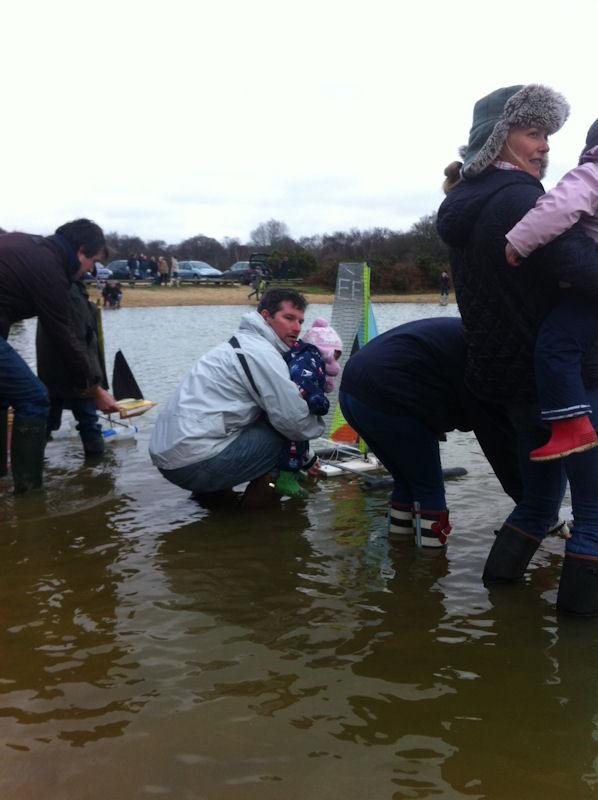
pixel 231 416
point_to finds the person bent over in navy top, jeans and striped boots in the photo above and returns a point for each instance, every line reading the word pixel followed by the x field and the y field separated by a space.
pixel 402 393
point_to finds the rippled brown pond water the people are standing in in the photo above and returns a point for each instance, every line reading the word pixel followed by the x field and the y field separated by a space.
pixel 150 648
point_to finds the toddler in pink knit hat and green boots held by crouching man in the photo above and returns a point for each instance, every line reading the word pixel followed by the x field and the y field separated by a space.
pixel 313 365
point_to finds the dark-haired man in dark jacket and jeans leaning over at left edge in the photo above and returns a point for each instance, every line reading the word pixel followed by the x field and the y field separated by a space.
pixel 36 273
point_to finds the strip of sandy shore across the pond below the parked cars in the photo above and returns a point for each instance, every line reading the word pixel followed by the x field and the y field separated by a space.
pixel 147 296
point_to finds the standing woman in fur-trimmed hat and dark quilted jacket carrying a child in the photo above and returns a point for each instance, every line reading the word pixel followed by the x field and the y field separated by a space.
pixel 502 311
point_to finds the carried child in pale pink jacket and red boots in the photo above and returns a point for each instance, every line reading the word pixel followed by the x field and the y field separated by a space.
pixel 572 327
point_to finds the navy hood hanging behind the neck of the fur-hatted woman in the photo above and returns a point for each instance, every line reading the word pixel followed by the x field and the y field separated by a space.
pixel 459 211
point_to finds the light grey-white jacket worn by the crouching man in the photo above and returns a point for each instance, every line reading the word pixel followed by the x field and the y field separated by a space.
pixel 216 401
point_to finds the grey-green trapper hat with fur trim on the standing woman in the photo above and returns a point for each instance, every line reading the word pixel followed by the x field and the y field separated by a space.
pixel 512 106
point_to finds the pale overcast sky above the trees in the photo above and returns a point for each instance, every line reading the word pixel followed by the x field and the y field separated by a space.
pixel 182 117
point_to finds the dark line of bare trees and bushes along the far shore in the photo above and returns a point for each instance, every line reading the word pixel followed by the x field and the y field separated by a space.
pixel 401 261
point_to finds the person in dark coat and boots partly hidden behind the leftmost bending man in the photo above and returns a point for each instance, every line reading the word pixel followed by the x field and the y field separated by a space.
pixel 54 374
